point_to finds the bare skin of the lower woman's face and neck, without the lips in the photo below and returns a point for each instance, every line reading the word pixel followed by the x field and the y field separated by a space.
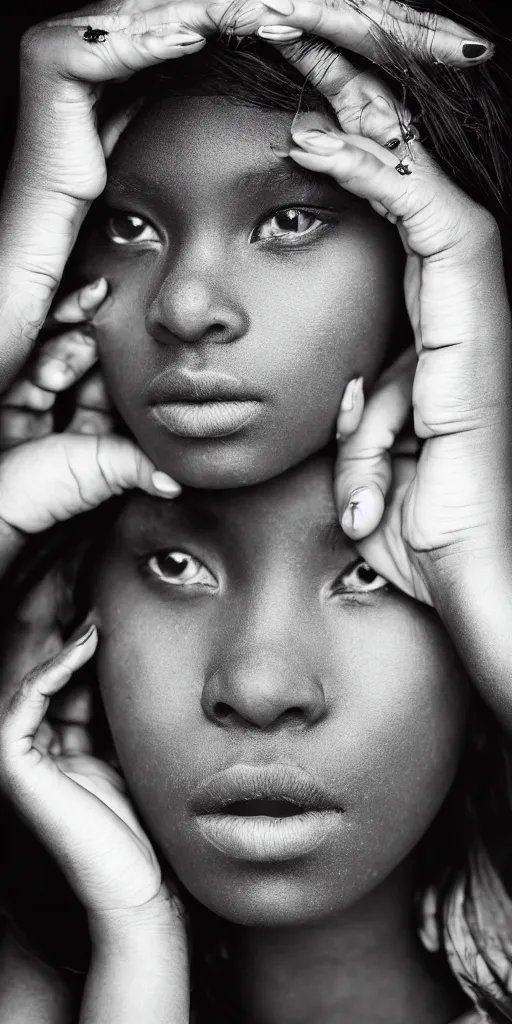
pixel 361 690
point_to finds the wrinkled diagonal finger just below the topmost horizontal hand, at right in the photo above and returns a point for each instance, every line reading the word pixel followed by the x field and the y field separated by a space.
pixel 363 103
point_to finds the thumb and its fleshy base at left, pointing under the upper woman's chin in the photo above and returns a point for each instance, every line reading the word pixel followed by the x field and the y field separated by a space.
pixel 60 477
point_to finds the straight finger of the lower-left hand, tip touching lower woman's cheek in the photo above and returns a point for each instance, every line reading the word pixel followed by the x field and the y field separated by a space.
pixel 23 715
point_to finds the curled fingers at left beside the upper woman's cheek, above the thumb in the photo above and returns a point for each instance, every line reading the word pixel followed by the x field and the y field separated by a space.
pixel 65 362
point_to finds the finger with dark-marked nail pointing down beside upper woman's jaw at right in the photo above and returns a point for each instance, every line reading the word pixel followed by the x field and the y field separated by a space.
pixel 363 474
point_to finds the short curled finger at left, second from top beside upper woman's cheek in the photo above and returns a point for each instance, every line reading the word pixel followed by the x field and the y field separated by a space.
pixel 63 361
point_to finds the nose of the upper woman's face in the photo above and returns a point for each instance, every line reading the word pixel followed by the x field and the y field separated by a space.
pixel 194 305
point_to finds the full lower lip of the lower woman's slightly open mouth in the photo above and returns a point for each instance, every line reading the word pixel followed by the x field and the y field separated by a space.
pixel 266 839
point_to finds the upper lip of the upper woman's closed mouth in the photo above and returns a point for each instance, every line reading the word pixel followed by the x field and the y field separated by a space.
pixel 184 386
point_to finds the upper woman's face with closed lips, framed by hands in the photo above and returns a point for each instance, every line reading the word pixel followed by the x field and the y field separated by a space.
pixel 245 293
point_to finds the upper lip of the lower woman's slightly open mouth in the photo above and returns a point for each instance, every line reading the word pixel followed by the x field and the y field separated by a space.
pixel 280 782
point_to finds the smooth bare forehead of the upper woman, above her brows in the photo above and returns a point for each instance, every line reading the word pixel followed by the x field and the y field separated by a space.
pixel 228 145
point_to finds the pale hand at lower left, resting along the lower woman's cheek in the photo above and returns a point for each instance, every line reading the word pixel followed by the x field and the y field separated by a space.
pixel 76 804
